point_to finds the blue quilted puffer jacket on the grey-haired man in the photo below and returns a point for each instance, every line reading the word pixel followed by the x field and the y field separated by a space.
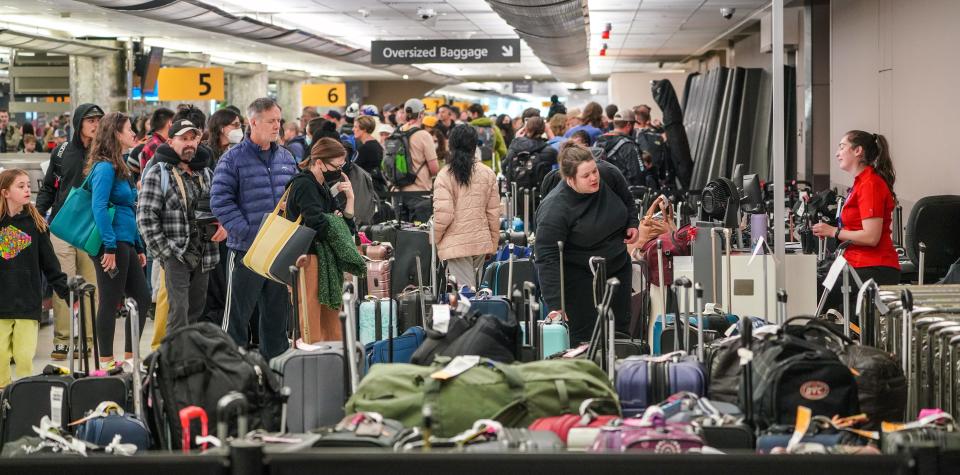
pixel 246 188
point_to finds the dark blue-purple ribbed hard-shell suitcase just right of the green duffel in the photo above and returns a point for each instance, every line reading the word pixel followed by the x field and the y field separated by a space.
pixel 644 380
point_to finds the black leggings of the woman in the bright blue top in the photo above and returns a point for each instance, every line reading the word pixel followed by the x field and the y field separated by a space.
pixel 131 281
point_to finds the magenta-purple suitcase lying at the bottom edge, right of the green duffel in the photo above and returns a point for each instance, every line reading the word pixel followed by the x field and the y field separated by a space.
pixel 650 434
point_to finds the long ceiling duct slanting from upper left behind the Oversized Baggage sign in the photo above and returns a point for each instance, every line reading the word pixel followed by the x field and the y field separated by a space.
pixel 199 15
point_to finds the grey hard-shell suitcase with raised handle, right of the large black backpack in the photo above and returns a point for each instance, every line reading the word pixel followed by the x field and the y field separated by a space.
pixel 316 376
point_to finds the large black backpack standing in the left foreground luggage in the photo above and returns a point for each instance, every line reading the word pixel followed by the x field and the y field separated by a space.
pixel 196 366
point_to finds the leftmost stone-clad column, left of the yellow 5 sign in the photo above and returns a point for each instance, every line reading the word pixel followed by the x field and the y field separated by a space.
pixel 101 81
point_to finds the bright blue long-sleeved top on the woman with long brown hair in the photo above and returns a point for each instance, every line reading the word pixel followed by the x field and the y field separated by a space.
pixel 109 191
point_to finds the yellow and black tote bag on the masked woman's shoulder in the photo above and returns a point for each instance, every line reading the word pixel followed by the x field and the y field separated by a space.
pixel 278 245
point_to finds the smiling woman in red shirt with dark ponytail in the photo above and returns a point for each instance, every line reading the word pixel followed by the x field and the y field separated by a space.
pixel 867 214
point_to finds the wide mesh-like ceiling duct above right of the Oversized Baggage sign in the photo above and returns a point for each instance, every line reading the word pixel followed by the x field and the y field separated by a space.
pixel 555 30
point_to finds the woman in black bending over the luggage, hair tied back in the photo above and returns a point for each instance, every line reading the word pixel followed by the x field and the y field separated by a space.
pixel 587 213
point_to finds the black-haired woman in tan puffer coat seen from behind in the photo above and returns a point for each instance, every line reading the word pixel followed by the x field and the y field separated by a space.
pixel 466 208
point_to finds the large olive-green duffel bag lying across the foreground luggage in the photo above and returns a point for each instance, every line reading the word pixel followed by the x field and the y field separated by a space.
pixel 515 395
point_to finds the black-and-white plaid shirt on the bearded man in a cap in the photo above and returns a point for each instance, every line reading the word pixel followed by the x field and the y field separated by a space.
pixel 162 217
